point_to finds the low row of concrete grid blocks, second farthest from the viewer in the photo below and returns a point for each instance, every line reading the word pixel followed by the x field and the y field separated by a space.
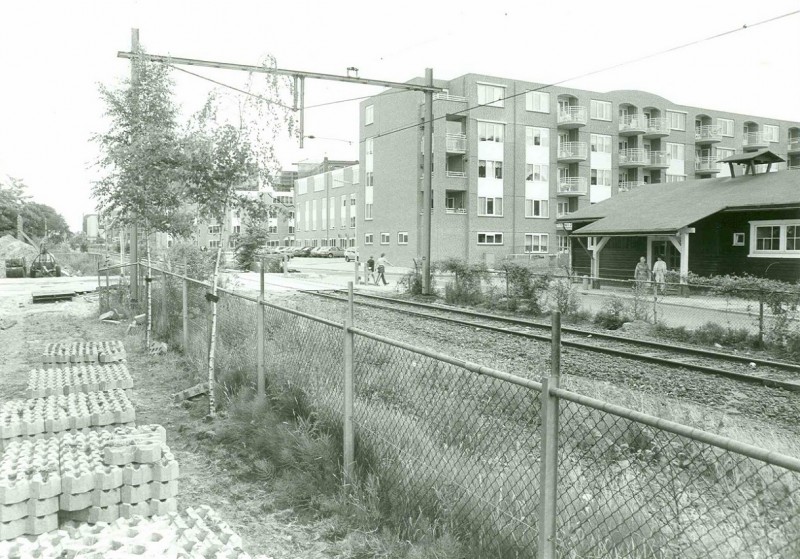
pixel 78 378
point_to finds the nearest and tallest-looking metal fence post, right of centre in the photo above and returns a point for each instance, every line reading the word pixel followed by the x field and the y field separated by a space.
pixel 549 462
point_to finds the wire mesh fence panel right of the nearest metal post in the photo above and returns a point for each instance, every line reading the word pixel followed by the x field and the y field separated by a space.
pixel 626 489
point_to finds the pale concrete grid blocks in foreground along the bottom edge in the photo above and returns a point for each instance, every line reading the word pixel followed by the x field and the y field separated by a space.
pixel 197 534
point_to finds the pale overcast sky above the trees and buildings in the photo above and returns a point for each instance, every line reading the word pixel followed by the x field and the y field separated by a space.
pixel 53 55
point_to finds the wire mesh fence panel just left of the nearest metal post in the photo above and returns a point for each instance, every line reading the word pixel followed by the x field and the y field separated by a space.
pixel 458 447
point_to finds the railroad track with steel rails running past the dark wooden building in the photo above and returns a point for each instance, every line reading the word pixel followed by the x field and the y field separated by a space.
pixel 748 369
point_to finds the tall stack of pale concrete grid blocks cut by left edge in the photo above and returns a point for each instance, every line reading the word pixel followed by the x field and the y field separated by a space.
pixel 29 488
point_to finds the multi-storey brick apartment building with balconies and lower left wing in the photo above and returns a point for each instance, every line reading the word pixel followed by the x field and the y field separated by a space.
pixel 509 157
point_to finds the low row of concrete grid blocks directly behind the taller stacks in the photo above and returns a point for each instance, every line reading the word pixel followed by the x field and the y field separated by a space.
pixel 55 414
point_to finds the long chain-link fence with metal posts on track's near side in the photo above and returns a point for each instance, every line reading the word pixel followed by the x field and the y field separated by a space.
pixel 509 466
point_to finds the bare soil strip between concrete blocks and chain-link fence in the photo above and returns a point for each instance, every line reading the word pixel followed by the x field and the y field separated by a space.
pixel 208 475
